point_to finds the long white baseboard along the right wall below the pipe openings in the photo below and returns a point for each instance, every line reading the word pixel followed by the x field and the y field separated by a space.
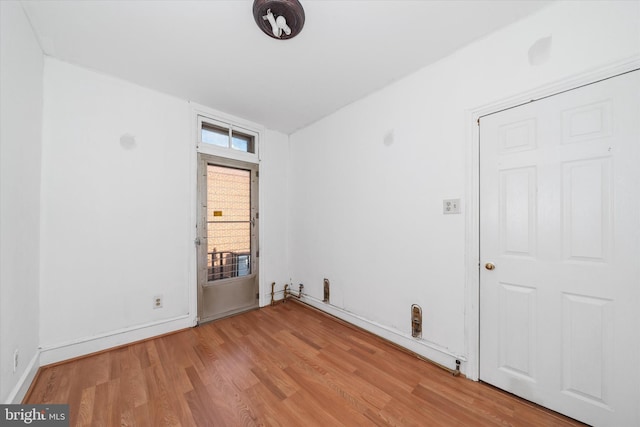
pixel 423 348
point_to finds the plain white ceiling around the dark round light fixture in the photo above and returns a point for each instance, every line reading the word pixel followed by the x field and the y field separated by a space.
pixel 213 53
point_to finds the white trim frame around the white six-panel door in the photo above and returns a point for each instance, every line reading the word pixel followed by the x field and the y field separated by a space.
pixel 472 191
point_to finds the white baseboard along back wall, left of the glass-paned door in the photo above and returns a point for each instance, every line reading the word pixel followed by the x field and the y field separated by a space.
pixel 83 346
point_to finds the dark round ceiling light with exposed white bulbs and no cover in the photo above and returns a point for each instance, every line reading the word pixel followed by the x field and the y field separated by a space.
pixel 280 19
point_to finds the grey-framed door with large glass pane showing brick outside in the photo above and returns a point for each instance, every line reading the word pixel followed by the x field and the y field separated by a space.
pixel 227 237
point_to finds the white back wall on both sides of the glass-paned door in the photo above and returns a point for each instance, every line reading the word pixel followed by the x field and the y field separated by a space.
pixel 118 221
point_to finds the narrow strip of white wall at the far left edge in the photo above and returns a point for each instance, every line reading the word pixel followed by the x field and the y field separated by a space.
pixel 20 149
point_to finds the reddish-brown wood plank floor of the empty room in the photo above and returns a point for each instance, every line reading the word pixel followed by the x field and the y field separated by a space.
pixel 287 365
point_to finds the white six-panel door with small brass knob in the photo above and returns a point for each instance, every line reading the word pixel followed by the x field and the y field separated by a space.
pixel 559 251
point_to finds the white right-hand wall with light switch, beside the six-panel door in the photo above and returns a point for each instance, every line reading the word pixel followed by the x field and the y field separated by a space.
pixel 367 183
